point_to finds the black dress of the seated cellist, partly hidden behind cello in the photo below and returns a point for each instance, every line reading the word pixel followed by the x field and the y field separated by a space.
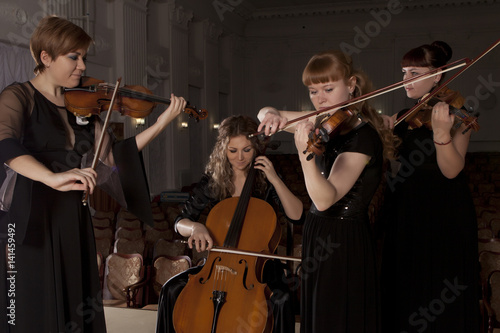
pixel 273 275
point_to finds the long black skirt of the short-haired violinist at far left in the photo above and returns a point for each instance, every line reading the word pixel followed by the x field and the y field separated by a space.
pixel 53 284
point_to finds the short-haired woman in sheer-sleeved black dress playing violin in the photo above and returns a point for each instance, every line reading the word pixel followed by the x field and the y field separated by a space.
pixel 44 148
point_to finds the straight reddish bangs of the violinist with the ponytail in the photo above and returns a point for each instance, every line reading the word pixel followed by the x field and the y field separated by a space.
pixel 322 69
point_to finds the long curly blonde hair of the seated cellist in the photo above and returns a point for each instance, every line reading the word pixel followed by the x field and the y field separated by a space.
pixel 218 167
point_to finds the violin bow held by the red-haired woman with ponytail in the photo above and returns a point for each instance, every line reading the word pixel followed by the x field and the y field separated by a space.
pixel 439 70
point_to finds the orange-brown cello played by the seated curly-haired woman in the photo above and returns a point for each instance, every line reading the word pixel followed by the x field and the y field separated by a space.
pixel 228 295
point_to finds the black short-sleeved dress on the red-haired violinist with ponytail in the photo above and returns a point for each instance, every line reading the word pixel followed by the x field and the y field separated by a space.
pixel 339 277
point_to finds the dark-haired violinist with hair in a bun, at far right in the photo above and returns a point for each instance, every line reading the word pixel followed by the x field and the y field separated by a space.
pixel 431 235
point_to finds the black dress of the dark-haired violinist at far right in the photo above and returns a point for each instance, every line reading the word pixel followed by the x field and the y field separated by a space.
pixel 430 262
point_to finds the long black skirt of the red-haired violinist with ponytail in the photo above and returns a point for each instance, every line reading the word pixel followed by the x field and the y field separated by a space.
pixel 339 276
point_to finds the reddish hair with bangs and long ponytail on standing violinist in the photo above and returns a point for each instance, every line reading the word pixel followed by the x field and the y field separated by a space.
pixel 335 65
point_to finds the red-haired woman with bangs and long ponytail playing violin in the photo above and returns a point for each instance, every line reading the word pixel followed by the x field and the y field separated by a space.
pixel 339 277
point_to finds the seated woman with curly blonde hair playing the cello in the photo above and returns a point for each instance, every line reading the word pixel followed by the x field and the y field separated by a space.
pixel 224 177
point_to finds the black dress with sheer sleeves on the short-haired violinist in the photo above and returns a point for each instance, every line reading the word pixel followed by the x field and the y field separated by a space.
pixel 52 283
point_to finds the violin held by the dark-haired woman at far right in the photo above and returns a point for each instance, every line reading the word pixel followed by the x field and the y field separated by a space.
pixel 421 114
